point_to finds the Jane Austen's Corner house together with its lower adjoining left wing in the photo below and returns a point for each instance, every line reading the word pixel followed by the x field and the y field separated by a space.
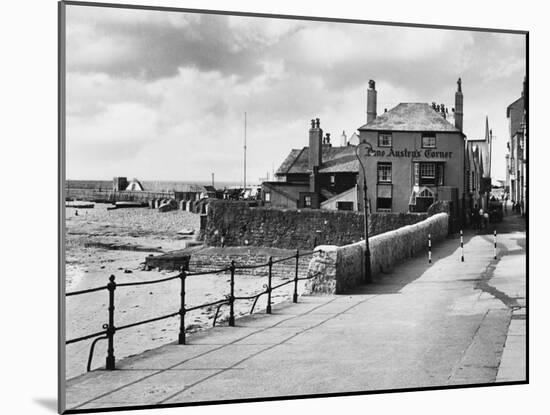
pixel 418 158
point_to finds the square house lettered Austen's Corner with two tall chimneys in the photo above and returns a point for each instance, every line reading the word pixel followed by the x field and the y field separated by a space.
pixel 417 157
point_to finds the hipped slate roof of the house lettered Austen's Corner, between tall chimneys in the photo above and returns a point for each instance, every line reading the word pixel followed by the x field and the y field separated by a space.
pixel 411 116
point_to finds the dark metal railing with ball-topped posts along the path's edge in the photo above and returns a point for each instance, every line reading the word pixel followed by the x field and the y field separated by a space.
pixel 109 329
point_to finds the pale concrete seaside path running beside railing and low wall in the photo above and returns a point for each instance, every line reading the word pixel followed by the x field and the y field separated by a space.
pixel 448 323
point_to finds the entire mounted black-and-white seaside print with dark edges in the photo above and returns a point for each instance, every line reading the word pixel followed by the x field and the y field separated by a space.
pixel 258 207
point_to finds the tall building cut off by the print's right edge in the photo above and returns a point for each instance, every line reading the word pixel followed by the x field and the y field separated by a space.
pixel 516 159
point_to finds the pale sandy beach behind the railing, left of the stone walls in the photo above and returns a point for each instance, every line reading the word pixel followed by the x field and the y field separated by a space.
pixel 101 242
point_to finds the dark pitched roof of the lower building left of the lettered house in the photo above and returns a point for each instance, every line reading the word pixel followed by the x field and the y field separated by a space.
pixel 335 160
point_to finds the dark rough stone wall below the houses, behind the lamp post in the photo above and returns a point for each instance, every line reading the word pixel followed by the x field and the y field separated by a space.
pixel 237 224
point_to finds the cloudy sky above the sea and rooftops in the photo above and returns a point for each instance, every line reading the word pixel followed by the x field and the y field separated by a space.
pixel 162 95
